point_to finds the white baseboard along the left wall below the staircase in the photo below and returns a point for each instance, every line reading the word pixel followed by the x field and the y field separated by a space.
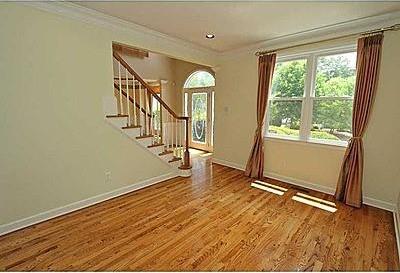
pixel 43 216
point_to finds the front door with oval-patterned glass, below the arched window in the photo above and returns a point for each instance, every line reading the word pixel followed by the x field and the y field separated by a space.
pixel 199 104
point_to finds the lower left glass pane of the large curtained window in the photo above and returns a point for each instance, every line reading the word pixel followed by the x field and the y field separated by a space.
pixel 284 118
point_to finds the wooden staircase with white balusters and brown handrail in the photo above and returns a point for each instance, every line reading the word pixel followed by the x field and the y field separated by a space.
pixel 145 118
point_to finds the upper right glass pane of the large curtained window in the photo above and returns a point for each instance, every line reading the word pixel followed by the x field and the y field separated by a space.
pixel 336 75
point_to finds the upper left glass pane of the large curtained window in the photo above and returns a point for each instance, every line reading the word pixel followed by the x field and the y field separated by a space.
pixel 289 78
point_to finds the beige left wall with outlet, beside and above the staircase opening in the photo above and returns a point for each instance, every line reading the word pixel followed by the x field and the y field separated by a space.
pixel 55 144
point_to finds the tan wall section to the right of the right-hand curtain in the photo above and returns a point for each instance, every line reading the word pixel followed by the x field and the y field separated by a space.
pixel 382 138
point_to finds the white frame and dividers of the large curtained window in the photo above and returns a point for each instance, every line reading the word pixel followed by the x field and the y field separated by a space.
pixel 308 95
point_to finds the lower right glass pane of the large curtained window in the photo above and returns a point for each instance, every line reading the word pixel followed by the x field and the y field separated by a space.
pixel 332 119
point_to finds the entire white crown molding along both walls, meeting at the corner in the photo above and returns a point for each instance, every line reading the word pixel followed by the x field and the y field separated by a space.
pixel 83 14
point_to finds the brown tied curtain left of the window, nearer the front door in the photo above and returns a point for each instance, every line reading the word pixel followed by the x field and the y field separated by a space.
pixel 255 163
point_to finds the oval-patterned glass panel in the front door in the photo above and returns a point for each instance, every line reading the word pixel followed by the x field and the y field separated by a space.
pixel 199 117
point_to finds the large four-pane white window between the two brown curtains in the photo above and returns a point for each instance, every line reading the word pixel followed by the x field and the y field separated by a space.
pixel 312 97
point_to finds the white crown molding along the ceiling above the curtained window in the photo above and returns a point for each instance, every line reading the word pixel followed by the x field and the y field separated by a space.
pixel 326 32
